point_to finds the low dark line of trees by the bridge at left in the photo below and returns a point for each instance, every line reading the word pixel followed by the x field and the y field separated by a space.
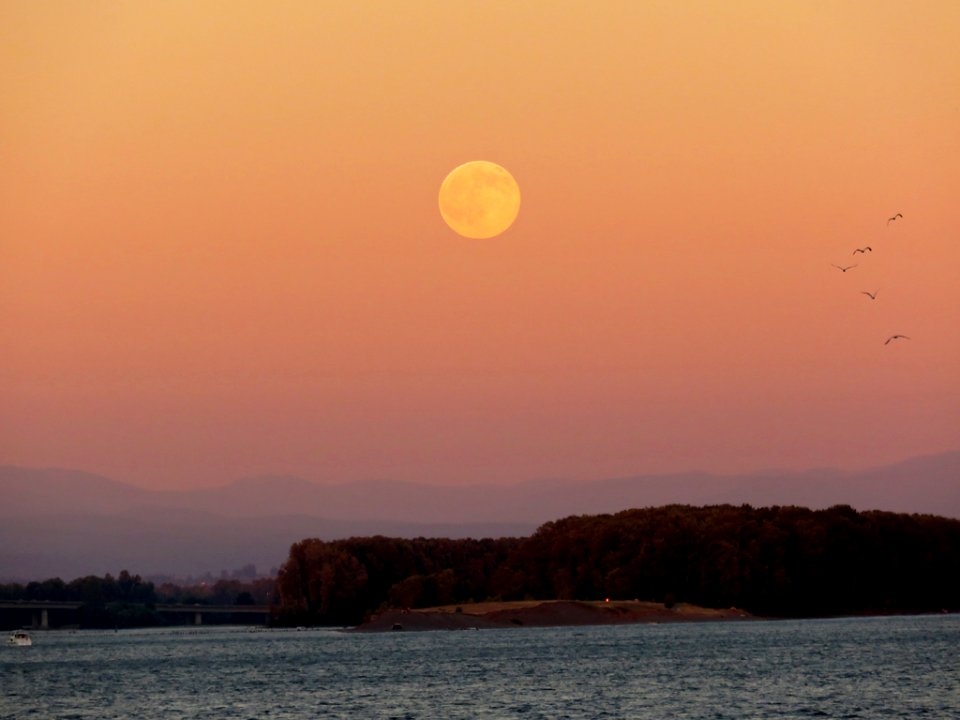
pixel 128 600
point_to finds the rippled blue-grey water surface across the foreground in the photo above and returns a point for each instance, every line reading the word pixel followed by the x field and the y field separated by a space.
pixel 903 667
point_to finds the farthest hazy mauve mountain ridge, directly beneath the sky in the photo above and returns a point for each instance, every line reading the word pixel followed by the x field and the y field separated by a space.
pixel 929 484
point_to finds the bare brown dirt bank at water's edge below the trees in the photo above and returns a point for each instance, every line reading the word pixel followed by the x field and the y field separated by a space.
pixel 546 613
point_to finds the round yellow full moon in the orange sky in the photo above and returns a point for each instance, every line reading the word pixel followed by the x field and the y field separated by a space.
pixel 479 199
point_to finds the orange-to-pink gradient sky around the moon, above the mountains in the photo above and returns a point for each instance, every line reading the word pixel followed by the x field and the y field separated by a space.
pixel 221 253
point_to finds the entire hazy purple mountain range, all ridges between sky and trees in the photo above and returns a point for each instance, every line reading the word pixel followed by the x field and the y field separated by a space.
pixel 69 523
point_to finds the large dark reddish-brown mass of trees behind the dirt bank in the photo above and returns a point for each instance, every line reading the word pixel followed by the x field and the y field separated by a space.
pixel 780 561
